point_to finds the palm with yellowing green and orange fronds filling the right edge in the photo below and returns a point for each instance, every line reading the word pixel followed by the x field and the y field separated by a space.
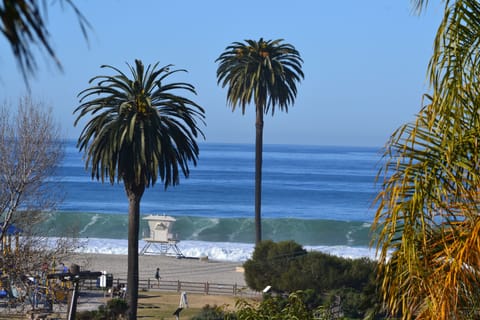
pixel 427 218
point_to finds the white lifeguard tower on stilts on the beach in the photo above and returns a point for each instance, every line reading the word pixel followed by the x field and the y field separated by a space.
pixel 161 240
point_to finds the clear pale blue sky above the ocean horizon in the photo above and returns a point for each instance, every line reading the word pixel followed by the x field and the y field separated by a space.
pixel 365 62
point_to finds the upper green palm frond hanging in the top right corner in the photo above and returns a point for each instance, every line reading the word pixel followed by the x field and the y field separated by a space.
pixel 454 66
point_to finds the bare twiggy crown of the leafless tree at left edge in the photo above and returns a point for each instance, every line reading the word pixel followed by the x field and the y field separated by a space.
pixel 30 150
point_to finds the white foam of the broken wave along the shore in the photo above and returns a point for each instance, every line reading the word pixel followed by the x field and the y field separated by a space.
pixel 222 251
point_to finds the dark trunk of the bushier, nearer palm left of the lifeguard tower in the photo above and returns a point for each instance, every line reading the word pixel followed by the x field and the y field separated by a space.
pixel 134 193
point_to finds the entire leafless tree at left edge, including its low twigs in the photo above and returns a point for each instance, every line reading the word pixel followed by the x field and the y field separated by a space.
pixel 31 148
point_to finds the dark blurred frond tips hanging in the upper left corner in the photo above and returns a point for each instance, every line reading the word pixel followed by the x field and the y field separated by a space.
pixel 22 23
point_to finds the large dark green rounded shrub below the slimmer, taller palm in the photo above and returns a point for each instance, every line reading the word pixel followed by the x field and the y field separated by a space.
pixel 331 282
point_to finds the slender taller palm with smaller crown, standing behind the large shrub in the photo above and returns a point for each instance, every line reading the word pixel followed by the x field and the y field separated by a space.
pixel 266 72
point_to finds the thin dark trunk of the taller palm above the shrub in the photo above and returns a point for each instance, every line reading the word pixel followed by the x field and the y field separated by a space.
pixel 258 174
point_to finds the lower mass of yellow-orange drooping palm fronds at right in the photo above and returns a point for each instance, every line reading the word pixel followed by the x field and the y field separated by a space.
pixel 428 203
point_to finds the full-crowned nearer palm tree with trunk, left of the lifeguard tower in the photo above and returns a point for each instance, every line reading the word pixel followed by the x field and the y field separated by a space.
pixel 140 130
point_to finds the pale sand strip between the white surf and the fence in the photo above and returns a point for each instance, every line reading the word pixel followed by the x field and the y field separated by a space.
pixel 171 268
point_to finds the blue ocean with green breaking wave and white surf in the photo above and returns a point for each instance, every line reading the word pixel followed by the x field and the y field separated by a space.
pixel 319 196
